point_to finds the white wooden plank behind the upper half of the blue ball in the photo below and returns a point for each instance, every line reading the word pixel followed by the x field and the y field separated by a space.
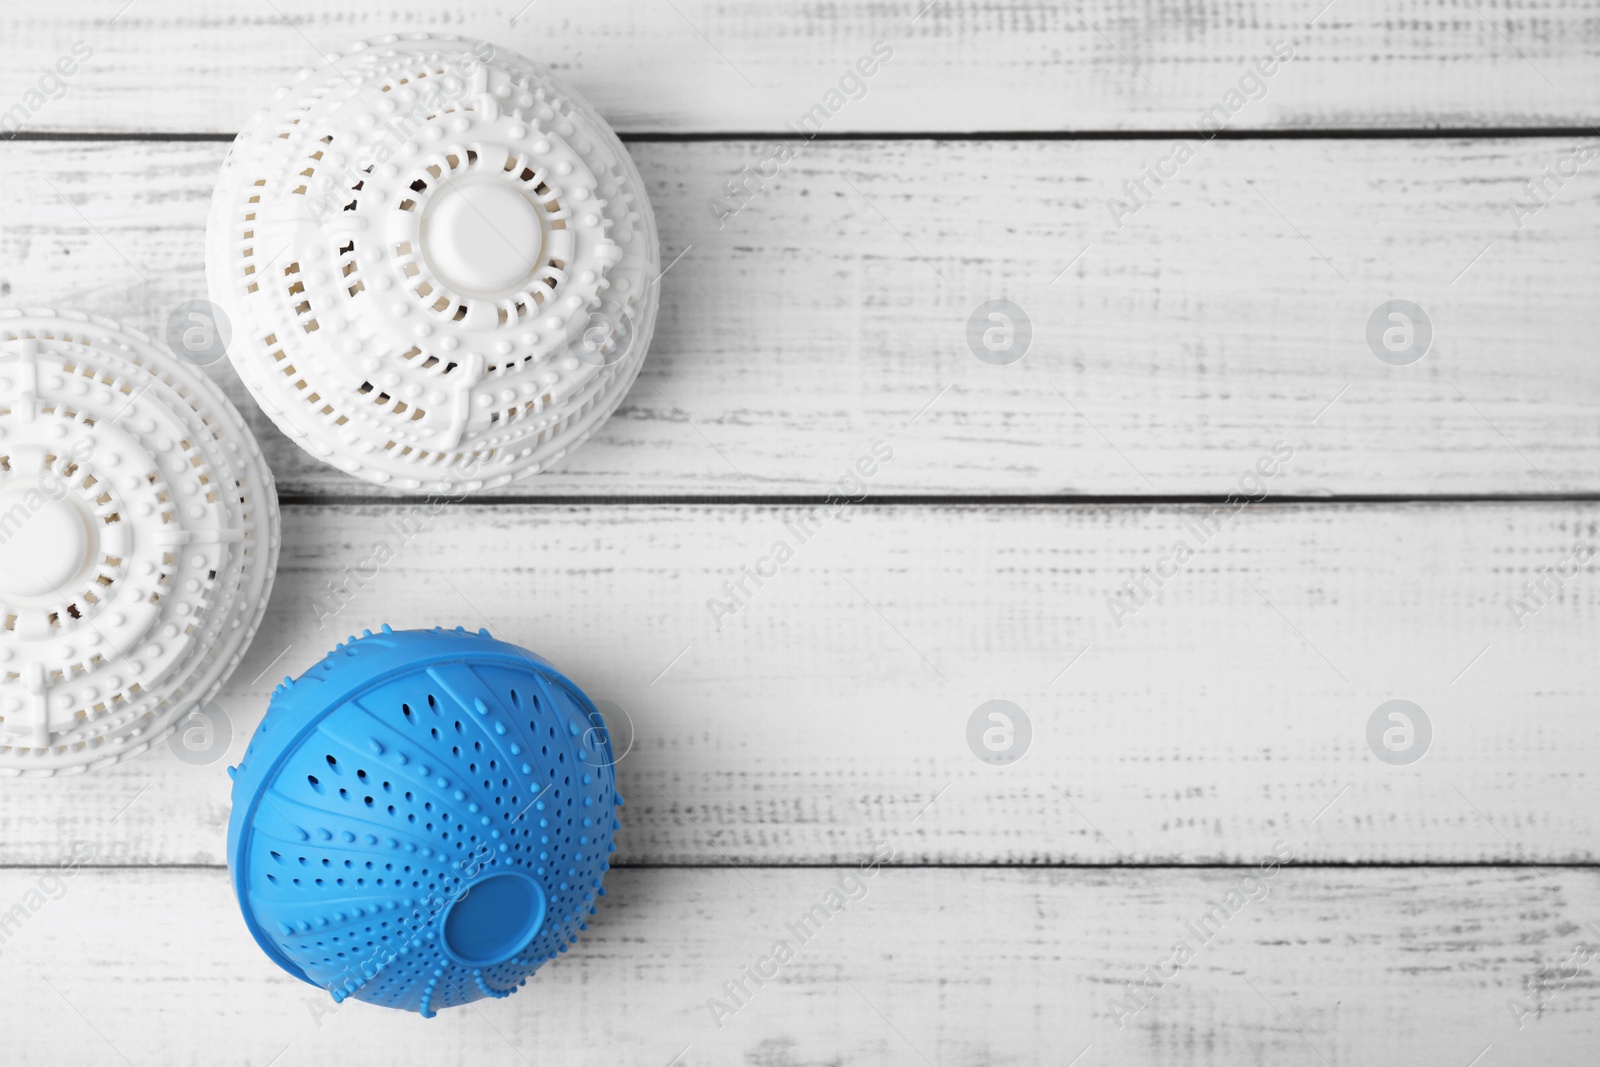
pixel 833 709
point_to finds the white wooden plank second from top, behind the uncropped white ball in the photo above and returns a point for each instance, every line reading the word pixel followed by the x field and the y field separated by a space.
pixel 1228 314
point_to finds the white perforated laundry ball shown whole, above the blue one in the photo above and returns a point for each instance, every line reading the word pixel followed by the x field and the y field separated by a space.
pixel 439 265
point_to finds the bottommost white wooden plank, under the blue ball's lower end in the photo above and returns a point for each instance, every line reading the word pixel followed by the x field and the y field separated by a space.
pixel 953 969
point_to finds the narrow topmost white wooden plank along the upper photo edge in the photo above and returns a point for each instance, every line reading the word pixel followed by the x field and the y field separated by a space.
pixel 756 65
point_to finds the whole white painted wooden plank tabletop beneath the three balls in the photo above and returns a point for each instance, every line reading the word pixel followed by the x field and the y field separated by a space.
pixel 826 722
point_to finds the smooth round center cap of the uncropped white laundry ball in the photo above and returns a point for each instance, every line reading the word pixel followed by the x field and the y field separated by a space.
pixel 482 239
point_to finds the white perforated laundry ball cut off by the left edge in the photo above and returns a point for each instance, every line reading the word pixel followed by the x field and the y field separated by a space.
pixel 138 541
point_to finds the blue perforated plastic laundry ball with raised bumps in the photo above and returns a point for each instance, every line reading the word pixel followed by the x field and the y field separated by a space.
pixel 423 820
